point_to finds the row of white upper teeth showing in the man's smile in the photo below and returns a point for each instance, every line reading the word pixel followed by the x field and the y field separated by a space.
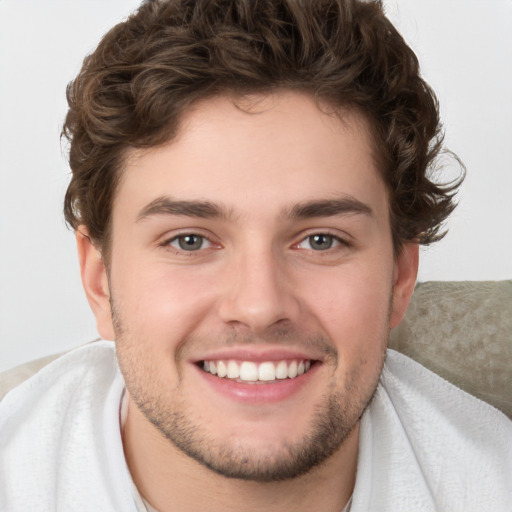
pixel 249 371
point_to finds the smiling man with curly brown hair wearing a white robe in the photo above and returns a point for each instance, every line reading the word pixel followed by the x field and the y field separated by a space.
pixel 250 186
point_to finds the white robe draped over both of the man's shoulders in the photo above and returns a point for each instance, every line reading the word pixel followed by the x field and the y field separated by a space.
pixel 424 444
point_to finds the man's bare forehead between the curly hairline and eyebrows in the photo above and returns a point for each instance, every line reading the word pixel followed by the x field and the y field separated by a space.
pixel 279 148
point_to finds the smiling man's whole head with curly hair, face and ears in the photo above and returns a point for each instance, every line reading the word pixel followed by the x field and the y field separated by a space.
pixel 253 178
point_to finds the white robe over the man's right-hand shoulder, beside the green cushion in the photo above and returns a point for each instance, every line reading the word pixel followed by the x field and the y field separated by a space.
pixel 431 446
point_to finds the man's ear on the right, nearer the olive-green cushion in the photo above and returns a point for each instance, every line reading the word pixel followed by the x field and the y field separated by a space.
pixel 404 279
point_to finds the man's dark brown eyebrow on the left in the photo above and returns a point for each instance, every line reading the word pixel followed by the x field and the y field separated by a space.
pixel 168 206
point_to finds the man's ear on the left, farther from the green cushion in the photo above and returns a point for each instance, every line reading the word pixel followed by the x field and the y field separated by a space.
pixel 95 282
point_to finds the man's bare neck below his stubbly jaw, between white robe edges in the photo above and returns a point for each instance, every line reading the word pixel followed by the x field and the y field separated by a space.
pixel 170 480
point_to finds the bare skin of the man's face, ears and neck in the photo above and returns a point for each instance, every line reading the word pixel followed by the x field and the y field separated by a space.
pixel 257 285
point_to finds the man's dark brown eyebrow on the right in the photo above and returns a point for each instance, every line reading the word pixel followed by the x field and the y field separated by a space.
pixel 329 208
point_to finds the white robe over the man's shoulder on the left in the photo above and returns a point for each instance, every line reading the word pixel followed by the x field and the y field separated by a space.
pixel 59 430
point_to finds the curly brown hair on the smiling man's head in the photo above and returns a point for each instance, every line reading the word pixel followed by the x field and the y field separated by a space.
pixel 147 70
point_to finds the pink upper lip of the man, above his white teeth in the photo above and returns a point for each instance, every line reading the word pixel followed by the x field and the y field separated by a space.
pixel 259 355
